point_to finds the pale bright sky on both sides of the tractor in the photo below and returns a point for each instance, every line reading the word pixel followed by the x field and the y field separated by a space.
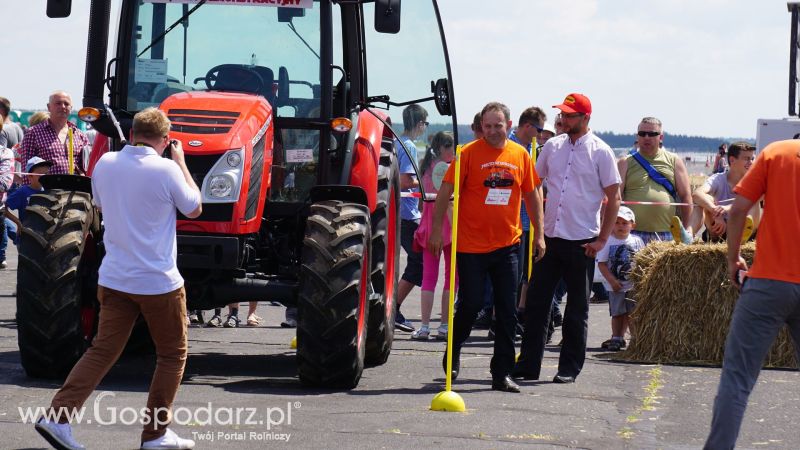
pixel 705 67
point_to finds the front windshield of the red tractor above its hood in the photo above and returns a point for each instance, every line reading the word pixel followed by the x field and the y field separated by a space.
pixel 193 45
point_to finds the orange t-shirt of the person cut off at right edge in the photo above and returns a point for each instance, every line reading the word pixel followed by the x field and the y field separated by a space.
pixel 776 176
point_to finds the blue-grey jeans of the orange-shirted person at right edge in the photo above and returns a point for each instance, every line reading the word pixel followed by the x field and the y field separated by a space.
pixel 762 309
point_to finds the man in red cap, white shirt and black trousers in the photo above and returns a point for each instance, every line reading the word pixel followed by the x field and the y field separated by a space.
pixel 580 170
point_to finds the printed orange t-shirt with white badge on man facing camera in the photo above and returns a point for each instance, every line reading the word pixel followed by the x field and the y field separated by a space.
pixel 492 183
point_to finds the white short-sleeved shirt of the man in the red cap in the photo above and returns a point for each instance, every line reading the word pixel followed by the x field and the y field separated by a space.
pixel 576 175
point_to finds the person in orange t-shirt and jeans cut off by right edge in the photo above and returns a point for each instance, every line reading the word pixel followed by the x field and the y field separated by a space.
pixel 770 292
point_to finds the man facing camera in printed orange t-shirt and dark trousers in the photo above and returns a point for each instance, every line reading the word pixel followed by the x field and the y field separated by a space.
pixel 496 174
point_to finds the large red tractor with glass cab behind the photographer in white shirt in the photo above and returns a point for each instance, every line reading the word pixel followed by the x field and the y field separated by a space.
pixel 296 164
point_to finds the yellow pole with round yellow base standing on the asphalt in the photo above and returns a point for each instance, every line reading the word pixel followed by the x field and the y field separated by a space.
pixel 448 400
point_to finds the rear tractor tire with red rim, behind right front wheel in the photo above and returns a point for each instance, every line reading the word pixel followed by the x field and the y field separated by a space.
pixel 385 259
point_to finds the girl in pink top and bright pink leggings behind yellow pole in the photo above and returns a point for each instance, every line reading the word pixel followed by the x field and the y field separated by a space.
pixel 433 167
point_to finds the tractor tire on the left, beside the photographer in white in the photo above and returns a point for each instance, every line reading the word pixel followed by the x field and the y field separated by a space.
pixel 54 324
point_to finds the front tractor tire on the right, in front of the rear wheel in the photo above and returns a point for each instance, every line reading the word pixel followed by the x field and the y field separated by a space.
pixel 333 301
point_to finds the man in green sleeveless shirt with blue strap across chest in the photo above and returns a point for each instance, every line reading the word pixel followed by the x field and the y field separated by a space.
pixel 653 174
